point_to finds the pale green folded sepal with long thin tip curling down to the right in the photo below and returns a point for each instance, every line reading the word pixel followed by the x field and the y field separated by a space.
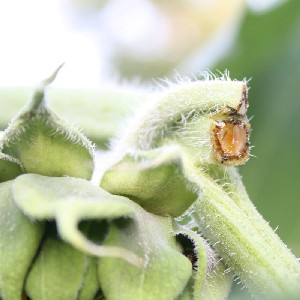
pixel 70 200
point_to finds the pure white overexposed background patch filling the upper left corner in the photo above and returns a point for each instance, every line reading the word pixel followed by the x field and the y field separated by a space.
pixel 36 37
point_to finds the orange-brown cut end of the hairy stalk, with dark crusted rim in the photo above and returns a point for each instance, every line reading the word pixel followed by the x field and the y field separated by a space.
pixel 231 141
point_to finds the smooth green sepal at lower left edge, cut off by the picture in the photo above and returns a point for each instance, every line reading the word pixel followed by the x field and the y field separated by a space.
pixel 20 238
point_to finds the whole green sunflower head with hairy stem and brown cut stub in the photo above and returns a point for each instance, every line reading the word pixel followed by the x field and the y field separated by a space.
pixel 167 217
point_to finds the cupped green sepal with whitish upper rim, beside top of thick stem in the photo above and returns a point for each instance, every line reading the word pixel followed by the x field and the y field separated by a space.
pixel 153 179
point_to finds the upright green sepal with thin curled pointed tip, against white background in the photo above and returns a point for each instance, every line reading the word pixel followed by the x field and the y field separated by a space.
pixel 45 144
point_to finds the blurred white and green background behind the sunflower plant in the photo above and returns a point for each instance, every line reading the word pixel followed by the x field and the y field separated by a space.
pixel 134 42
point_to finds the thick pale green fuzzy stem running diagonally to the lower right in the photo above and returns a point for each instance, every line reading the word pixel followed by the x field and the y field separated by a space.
pixel 246 242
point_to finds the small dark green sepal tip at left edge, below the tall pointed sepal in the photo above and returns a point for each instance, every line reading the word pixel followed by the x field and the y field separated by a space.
pixel 10 167
